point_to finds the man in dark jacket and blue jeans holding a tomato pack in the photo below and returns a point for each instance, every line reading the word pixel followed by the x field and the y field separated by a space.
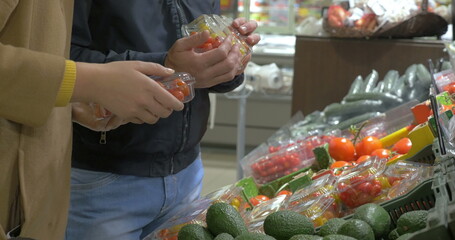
pixel 127 181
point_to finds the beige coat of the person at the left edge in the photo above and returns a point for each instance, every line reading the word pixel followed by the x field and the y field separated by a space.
pixel 35 137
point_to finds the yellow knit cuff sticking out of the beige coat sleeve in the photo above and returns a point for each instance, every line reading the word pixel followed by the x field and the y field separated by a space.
pixel 67 87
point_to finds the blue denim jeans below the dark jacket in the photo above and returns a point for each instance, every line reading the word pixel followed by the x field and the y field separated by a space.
pixel 119 207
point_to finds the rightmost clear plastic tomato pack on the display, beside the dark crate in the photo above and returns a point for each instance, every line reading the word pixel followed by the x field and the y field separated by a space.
pixel 405 176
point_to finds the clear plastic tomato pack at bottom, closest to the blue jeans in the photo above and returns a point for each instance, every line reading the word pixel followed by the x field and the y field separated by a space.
pixel 190 213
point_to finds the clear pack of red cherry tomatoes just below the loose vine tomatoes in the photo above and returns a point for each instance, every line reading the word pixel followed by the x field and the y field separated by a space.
pixel 362 184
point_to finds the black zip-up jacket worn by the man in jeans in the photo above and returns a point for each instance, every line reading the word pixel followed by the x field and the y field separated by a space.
pixel 114 30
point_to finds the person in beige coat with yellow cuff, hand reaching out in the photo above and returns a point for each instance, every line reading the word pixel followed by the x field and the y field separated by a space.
pixel 36 85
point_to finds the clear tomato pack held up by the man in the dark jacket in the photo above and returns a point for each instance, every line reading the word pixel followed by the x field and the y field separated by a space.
pixel 219 28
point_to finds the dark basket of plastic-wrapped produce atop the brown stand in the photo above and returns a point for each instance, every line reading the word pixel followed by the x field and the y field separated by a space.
pixel 385 18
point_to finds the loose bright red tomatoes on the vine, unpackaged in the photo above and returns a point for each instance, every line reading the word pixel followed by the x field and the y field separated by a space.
pixel 348 152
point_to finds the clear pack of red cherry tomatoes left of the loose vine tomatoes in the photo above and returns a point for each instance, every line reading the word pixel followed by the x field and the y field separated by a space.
pixel 277 164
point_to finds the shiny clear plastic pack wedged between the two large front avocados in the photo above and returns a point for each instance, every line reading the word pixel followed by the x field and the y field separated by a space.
pixel 254 219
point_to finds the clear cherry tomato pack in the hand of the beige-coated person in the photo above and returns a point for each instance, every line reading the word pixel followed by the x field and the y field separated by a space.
pixel 179 84
